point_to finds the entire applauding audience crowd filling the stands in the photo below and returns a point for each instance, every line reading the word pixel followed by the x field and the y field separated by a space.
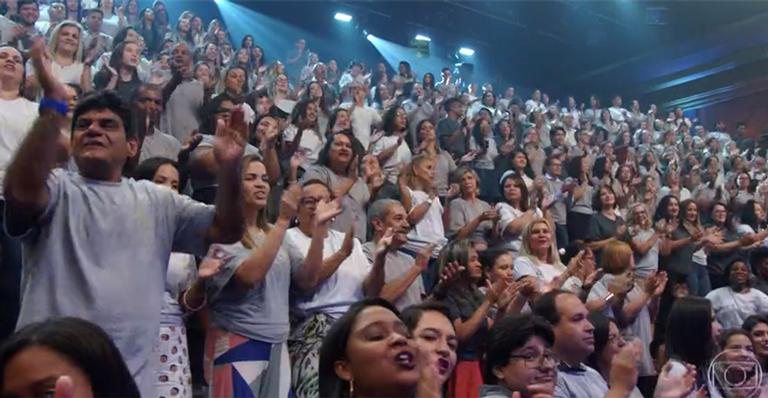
pixel 342 230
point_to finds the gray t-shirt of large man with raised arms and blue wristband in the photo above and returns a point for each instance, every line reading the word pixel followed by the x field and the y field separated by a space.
pixel 100 251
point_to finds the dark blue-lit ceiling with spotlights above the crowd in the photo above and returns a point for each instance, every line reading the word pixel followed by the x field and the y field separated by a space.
pixel 674 52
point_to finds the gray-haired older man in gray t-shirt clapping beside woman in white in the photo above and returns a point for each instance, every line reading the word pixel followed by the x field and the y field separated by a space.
pixel 402 283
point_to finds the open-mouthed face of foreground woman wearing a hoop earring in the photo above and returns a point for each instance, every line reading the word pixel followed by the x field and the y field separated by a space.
pixel 380 356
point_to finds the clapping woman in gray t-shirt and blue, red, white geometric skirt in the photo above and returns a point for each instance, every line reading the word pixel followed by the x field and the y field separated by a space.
pixel 248 299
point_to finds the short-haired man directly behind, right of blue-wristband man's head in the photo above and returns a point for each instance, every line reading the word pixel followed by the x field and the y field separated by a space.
pixel 156 143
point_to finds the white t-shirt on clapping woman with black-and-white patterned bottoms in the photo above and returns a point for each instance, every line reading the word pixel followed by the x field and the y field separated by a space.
pixel 342 289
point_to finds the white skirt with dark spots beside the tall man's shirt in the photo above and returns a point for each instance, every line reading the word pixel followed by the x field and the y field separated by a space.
pixel 174 378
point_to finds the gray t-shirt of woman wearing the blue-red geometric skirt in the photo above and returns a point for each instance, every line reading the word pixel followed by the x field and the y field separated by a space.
pixel 261 313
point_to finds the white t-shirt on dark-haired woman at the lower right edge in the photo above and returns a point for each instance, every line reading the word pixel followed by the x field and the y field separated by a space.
pixel 731 308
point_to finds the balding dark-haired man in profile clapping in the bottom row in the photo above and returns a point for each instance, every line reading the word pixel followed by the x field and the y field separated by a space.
pixel 574 342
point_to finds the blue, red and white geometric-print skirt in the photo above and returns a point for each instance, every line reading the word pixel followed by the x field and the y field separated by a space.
pixel 236 366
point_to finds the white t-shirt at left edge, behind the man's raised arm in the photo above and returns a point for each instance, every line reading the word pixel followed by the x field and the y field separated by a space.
pixel 16 118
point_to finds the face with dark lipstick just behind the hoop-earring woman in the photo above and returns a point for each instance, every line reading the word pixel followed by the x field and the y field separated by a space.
pixel 436 335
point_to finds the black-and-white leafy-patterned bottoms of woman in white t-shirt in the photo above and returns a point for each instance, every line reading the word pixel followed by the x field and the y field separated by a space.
pixel 304 346
